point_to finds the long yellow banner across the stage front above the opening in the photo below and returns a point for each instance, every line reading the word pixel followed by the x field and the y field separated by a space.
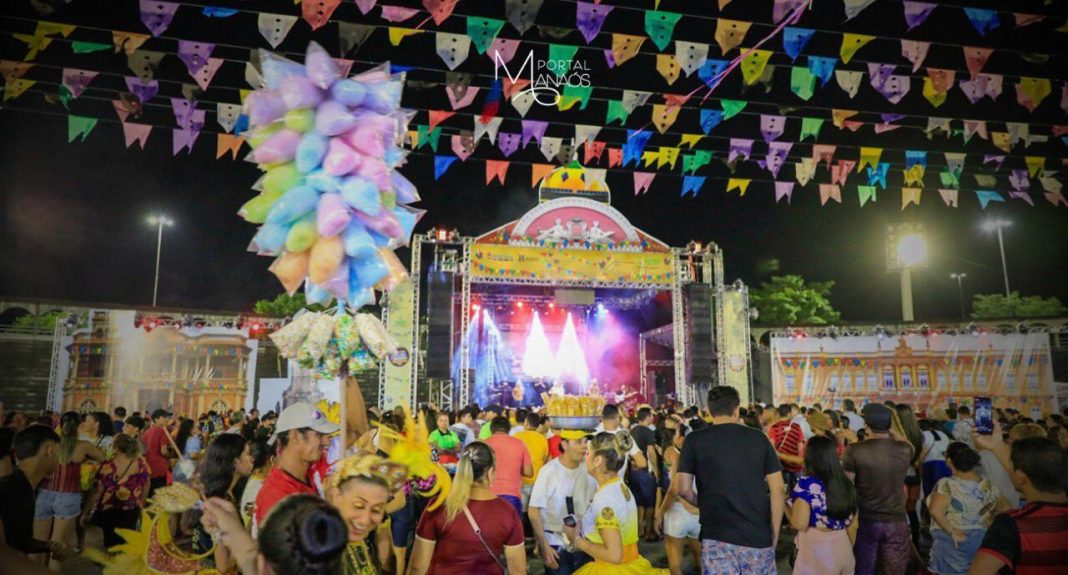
pixel 571 266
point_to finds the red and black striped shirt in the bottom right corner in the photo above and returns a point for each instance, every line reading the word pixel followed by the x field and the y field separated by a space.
pixel 1032 540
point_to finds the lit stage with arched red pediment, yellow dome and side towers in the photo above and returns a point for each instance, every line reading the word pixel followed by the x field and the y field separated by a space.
pixel 570 296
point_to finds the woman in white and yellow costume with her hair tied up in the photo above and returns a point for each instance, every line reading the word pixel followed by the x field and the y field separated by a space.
pixel 609 531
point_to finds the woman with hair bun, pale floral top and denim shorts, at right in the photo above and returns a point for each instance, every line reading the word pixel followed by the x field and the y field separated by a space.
pixel 962 508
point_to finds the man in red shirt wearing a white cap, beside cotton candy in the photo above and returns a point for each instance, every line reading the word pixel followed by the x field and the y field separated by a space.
pixel 301 432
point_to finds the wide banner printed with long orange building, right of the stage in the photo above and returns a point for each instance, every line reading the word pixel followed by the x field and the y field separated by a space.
pixel 1015 370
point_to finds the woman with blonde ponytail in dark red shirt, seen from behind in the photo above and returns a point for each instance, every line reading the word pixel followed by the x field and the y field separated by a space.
pixel 475 527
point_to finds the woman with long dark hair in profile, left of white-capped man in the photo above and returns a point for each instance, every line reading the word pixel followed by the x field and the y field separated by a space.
pixel 226 462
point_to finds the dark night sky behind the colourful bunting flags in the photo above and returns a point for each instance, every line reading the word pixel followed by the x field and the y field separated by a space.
pixel 73 216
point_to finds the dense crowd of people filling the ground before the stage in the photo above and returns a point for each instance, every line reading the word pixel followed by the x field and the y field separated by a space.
pixel 878 490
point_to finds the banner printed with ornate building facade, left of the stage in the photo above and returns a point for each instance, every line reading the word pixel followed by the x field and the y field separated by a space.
pixel 119 360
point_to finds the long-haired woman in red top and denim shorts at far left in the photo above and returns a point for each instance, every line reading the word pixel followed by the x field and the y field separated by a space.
pixel 59 498
